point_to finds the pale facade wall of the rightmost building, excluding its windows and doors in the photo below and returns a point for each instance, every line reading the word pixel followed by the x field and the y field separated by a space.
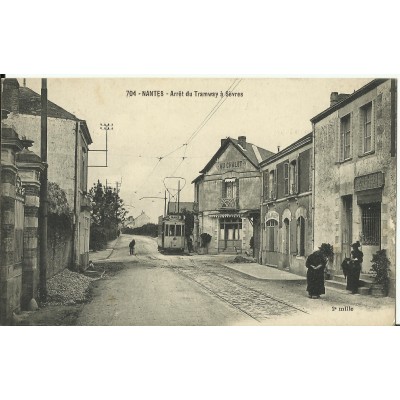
pixel 334 180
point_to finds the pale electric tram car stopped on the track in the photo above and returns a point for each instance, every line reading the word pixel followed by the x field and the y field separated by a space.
pixel 171 233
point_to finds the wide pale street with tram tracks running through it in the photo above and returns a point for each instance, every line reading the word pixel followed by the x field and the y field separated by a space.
pixel 158 289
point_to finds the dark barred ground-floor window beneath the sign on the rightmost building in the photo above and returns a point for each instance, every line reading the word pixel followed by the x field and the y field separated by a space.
pixel 371 224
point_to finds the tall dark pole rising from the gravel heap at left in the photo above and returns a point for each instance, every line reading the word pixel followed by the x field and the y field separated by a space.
pixel 43 195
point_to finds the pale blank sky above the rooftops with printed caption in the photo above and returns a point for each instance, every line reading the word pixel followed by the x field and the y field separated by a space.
pixel 175 134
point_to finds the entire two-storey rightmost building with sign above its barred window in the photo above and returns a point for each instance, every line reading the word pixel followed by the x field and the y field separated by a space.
pixel 354 195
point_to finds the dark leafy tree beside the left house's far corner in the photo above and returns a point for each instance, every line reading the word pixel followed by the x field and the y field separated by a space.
pixel 107 214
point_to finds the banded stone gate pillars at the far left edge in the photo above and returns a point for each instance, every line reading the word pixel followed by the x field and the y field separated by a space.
pixel 20 185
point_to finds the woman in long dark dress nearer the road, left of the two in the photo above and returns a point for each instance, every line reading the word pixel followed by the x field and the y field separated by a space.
pixel 316 263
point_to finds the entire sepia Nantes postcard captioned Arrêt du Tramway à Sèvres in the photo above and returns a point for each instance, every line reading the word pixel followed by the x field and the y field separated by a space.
pixel 198 201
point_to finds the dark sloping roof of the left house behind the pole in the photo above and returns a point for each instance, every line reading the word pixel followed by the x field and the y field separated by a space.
pixel 30 103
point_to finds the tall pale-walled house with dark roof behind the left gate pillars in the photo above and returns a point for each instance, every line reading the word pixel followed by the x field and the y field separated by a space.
pixel 67 148
